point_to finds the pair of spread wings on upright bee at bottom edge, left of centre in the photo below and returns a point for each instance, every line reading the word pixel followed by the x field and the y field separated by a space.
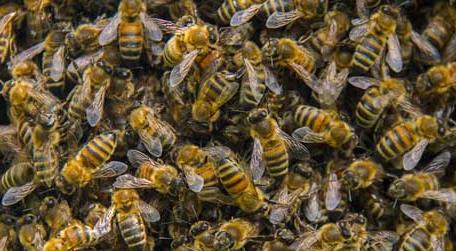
pixel 104 224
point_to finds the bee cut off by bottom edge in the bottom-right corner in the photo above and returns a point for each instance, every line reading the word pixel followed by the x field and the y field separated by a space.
pixel 427 233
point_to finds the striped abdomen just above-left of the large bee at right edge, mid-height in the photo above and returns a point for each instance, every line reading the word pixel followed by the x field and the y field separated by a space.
pixel 369 109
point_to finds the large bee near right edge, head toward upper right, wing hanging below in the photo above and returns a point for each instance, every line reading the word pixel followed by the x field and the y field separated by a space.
pixel 409 139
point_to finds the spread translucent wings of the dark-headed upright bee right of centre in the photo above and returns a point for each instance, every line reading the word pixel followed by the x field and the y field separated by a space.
pixel 257 164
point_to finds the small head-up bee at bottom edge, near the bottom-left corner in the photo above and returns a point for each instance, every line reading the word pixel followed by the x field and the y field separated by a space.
pixel 31 233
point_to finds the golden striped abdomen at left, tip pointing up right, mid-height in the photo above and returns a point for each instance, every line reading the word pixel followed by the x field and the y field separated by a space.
pixel 98 150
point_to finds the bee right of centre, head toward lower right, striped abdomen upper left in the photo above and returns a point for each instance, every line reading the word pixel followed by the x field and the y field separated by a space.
pixel 323 126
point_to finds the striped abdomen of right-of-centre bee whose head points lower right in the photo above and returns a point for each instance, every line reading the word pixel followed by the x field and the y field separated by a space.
pixel 314 118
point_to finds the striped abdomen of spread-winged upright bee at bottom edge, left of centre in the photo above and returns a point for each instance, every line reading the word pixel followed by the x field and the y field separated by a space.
pixel 133 230
